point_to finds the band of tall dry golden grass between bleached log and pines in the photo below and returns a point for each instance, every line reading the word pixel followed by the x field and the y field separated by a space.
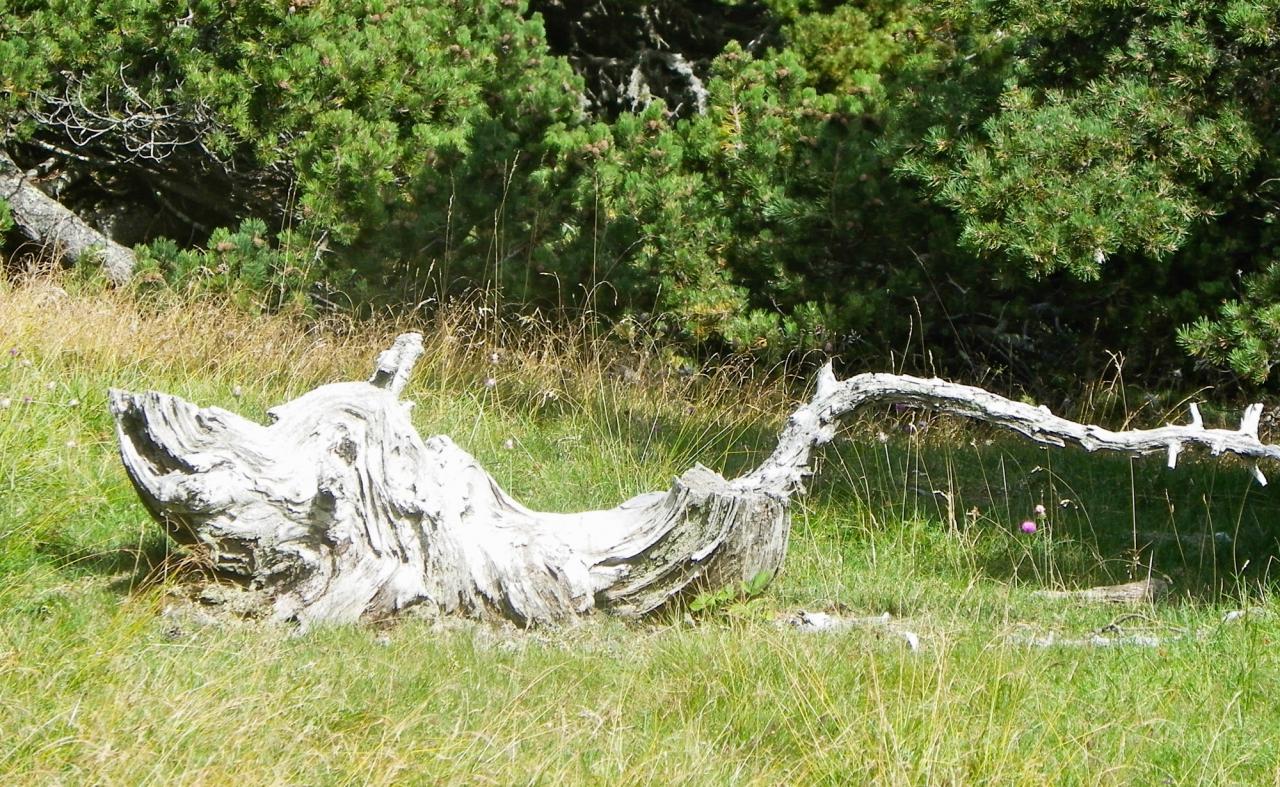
pixel 166 337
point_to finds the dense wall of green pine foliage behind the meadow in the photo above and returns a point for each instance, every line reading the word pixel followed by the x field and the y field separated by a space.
pixel 1017 185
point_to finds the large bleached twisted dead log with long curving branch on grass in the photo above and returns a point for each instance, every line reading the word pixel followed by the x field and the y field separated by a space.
pixel 340 510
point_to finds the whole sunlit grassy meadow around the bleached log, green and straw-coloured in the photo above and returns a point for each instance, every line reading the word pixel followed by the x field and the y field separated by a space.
pixel 98 685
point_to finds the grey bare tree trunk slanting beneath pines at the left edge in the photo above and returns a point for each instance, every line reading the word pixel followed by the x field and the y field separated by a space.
pixel 47 221
